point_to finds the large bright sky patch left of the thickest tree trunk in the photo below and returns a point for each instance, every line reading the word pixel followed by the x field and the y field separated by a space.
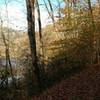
pixel 16 14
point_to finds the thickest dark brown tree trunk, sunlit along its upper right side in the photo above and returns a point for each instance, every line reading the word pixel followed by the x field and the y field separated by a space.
pixel 31 34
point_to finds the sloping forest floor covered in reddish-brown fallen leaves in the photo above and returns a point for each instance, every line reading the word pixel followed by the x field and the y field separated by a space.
pixel 81 86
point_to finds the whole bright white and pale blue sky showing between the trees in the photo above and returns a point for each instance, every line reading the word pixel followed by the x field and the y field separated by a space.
pixel 17 13
